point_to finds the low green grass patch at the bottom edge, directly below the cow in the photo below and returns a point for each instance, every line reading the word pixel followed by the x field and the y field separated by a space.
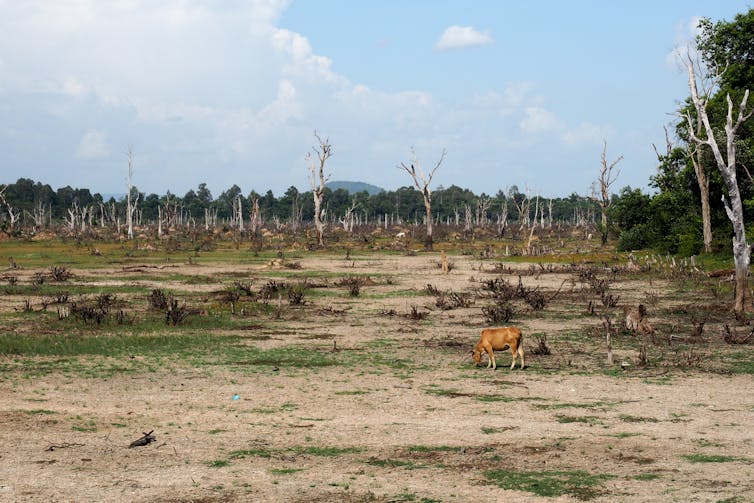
pixel 579 484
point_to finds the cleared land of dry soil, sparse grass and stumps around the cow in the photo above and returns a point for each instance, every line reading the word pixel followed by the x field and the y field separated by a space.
pixel 329 376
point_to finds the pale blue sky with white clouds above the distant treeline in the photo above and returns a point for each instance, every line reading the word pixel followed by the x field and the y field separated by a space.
pixel 232 92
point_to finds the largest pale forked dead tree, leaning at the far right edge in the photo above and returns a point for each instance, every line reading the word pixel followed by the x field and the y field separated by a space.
pixel 726 165
